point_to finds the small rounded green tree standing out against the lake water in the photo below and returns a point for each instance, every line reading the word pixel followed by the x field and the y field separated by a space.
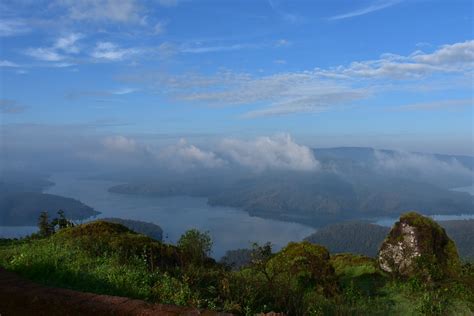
pixel 196 245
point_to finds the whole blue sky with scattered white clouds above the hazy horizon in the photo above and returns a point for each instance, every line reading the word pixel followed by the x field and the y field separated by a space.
pixel 388 74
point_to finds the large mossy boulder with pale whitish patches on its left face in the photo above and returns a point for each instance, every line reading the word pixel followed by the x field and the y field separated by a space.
pixel 418 247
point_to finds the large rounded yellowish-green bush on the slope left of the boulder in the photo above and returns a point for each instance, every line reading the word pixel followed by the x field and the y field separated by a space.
pixel 300 278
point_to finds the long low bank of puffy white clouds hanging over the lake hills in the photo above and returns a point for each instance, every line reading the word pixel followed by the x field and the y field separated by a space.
pixel 278 152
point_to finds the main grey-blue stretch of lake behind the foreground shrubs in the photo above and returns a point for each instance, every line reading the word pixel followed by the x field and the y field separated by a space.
pixel 230 228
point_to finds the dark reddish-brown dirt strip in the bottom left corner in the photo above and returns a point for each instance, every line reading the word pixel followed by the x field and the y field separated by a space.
pixel 21 297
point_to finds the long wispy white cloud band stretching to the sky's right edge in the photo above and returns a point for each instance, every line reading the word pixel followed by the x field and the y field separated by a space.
pixel 316 90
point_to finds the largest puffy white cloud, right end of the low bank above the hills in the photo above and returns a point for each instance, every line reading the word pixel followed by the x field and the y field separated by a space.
pixel 262 153
